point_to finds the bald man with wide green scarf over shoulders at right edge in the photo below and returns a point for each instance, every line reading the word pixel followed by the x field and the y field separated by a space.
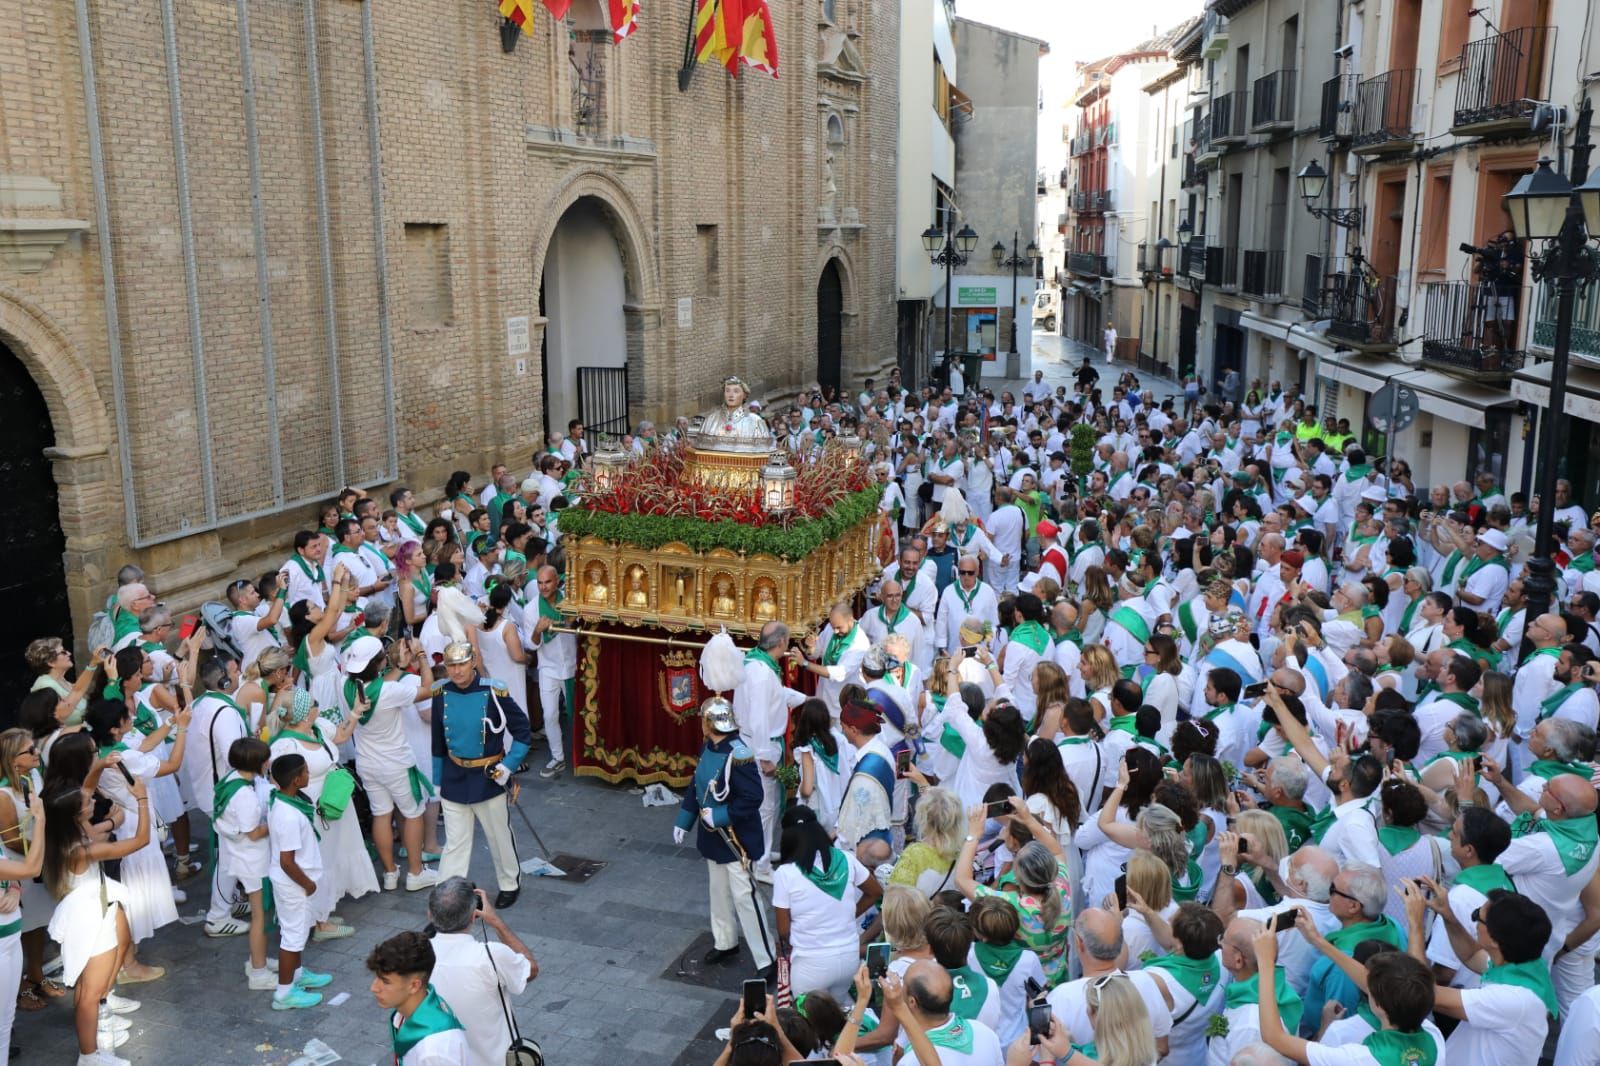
pixel 1551 860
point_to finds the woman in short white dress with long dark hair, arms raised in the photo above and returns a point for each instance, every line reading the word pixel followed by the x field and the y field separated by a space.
pixel 92 910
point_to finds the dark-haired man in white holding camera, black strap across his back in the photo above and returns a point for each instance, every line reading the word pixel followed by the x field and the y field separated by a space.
pixel 478 979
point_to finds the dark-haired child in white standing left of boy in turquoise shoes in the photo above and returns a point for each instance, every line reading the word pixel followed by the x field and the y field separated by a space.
pixel 239 816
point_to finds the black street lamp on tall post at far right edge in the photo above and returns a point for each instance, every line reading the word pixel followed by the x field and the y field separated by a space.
pixel 1545 207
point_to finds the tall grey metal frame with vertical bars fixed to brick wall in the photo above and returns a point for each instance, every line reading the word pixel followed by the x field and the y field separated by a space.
pixel 239 209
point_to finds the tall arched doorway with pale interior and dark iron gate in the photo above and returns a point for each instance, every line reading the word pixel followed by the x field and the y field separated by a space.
pixel 583 295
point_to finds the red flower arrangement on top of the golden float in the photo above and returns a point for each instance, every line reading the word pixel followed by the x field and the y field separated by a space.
pixel 655 486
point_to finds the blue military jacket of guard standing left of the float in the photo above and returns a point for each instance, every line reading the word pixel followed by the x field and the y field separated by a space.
pixel 476 723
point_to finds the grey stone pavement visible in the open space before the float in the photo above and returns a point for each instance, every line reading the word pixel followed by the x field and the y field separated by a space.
pixel 609 956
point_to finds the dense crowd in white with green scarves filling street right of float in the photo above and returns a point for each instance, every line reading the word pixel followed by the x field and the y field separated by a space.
pixel 1174 732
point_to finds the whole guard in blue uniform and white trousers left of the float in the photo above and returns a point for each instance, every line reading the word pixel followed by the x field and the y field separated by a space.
pixel 481 737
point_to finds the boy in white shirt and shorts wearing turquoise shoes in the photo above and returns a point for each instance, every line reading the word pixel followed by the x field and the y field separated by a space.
pixel 295 868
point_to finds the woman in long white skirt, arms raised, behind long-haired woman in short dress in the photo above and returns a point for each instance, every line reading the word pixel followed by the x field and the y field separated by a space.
pixel 150 888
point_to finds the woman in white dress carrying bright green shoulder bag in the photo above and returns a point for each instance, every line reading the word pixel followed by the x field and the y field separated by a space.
pixel 346 860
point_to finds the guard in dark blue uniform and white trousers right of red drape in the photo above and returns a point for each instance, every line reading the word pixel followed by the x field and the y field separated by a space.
pixel 726 804
